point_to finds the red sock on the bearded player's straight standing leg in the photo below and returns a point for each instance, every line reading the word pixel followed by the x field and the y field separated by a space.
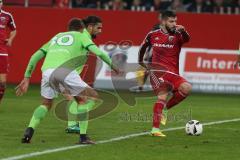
pixel 157 111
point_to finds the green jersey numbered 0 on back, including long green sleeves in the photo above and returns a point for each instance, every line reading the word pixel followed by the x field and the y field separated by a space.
pixel 68 50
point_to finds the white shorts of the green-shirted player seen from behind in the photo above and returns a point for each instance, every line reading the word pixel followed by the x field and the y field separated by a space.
pixel 56 81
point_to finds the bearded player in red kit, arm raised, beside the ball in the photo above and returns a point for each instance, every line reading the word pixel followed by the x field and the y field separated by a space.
pixel 166 43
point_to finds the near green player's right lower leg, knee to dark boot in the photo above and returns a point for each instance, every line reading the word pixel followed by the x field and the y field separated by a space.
pixel 86 101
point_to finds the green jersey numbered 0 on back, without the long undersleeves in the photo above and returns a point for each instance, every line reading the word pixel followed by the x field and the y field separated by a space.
pixel 66 47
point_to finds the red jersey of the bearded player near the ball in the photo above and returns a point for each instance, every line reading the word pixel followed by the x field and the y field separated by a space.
pixel 166 48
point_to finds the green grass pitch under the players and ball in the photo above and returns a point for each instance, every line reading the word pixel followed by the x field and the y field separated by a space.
pixel 220 141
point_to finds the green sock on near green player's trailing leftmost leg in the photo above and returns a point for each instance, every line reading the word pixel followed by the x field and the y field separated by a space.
pixel 39 113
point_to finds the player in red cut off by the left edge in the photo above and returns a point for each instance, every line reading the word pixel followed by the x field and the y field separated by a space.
pixel 7 34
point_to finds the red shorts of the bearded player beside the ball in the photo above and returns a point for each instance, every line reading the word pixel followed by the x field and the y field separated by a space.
pixel 165 82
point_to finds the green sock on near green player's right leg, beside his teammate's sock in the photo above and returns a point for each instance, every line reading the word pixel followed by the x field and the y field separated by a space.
pixel 83 109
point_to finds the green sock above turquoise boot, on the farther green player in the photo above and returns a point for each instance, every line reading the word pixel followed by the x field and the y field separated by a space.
pixel 73 110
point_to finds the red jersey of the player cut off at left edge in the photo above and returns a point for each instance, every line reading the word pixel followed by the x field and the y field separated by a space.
pixel 6 24
